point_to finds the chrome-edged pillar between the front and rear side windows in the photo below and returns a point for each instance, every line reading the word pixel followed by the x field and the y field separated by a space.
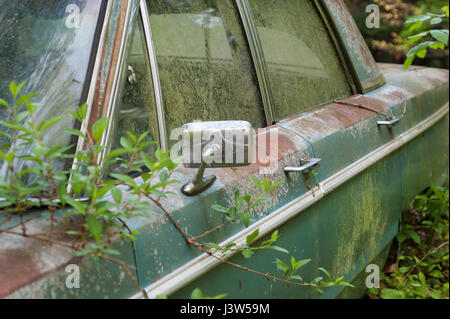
pixel 259 63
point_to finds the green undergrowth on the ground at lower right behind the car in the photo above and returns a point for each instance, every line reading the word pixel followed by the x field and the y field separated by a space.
pixel 421 269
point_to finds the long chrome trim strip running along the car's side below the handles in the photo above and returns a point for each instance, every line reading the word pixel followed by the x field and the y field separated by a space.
pixel 204 263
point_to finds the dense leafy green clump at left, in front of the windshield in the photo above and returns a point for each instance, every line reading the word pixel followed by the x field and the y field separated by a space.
pixel 94 195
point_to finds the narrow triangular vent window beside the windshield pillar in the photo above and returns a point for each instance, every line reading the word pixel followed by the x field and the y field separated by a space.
pixel 136 109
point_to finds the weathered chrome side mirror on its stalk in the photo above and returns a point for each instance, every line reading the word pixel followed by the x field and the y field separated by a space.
pixel 213 145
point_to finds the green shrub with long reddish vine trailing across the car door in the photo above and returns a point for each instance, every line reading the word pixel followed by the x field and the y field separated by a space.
pixel 91 201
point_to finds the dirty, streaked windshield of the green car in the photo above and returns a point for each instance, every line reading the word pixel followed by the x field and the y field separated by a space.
pixel 47 44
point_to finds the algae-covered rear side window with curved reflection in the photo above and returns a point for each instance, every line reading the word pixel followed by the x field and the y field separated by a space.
pixel 304 68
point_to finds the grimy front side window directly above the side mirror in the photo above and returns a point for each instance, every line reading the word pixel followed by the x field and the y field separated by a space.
pixel 204 62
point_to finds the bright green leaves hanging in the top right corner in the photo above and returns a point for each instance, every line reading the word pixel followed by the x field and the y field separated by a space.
pixel 439 36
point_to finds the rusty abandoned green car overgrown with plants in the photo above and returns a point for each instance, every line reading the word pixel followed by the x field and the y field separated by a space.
pixel 295 70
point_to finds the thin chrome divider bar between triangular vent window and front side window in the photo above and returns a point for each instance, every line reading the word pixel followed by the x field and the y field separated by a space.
pixel 164 144
